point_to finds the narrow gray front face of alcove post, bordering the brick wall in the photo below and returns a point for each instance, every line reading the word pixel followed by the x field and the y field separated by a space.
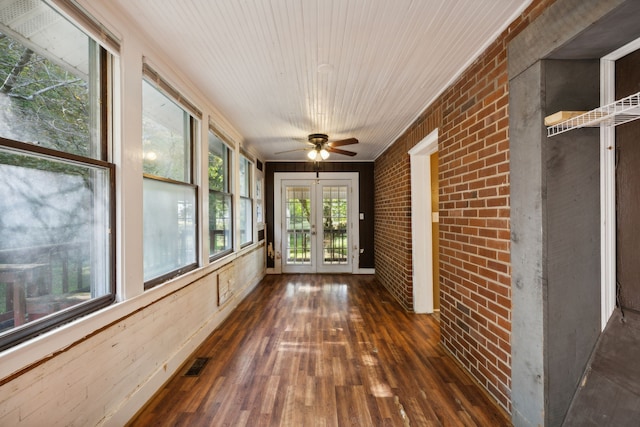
pixel 528 183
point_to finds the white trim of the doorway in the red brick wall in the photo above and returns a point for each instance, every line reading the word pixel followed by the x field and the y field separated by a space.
pixel 421 220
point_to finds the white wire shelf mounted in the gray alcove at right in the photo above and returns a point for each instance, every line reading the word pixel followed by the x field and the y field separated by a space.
pixel 621 111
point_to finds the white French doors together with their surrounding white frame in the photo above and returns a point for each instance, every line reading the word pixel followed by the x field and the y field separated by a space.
pixel 316 222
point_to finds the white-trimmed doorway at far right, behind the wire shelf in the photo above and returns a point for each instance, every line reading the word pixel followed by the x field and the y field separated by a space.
pixel 619 198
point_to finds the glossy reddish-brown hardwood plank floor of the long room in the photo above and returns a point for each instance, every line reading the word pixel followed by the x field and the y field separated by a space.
pixel 322 350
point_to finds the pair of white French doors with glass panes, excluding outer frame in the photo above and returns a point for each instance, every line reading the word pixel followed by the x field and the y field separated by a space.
pixel 316 234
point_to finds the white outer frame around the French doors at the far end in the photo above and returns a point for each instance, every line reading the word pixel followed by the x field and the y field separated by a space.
pixel 354 208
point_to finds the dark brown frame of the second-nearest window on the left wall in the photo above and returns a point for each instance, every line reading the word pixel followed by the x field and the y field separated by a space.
pixel 151 77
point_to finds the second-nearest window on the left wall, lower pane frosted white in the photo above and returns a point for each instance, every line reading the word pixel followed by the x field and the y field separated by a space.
pixel 169 196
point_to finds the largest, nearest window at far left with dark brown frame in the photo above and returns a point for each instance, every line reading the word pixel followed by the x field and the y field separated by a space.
pixel 56 185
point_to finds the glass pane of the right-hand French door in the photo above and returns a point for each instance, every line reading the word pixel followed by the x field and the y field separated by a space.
pixel 334 225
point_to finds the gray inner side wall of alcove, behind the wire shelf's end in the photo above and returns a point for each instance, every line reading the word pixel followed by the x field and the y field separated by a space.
pixel 572 163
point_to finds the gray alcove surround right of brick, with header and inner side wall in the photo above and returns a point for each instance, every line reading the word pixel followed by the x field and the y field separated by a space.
pixel 555 212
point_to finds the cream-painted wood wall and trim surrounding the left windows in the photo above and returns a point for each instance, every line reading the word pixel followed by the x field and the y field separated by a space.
pixel 101 369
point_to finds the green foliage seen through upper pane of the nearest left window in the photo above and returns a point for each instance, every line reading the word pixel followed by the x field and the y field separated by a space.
pixel 42 102
